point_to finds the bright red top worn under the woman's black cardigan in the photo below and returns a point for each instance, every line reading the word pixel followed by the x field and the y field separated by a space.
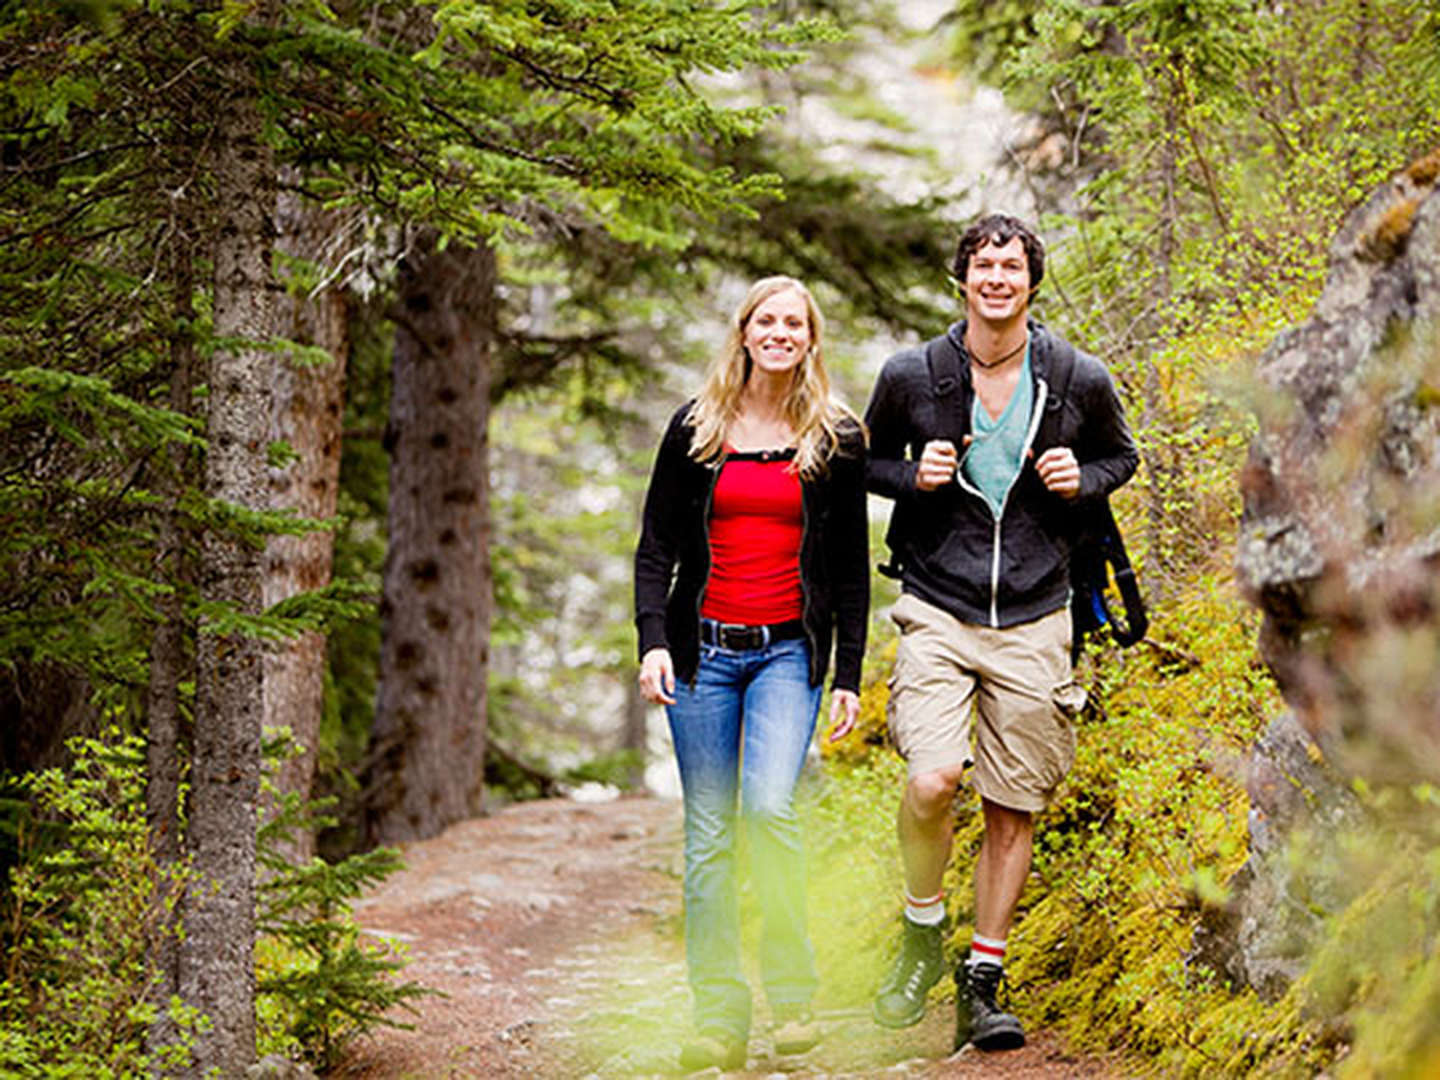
pixel 757 526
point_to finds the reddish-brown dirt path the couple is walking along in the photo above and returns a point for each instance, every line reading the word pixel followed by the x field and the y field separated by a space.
pixel 554 931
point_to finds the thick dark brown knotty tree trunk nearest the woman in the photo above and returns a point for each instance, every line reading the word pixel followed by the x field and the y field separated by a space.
pixel 428 745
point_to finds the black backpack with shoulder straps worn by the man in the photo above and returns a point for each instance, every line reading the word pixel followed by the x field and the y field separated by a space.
pixel 1098 549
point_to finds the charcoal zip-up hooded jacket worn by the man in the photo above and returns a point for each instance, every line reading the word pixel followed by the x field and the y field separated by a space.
pixel 957 554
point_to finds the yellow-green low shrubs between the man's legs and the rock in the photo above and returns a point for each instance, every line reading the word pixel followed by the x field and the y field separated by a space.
pixel 1150 823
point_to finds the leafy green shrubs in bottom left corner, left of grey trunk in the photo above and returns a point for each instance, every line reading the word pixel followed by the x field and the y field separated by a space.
pixel 86 911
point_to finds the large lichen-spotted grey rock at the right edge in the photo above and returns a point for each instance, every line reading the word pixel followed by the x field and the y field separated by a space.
pixel 1340 549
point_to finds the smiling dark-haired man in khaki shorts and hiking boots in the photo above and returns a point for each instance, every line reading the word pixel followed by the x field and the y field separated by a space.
pixel 989 440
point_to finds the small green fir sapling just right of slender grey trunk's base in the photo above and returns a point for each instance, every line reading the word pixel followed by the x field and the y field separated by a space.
pixel 320 986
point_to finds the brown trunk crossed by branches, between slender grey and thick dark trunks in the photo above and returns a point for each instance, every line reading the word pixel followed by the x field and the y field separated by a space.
pixel 307 415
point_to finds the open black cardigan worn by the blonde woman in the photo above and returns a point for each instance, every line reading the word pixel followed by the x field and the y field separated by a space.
pixel 673 558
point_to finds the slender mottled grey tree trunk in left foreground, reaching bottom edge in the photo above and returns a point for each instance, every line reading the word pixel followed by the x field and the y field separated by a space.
pixel 217 958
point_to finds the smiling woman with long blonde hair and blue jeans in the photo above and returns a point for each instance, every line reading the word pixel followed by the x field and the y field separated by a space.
pixel 752 562
